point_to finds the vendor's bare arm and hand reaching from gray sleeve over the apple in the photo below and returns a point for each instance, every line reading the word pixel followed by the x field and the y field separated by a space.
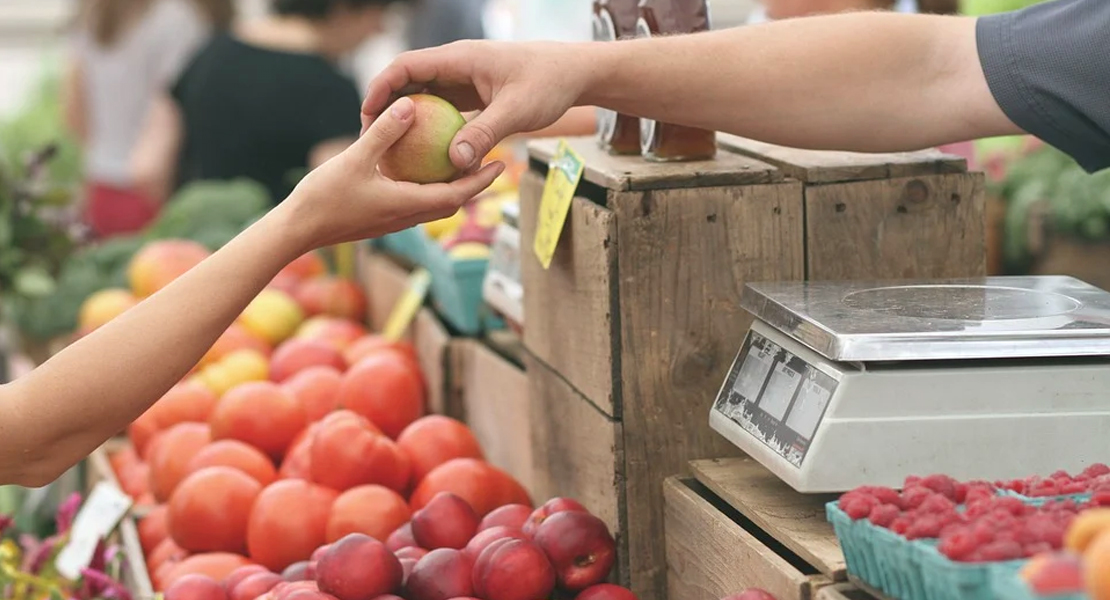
pixel 860 82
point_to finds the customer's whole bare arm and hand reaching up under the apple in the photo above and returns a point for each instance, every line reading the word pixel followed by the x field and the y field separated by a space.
pixel 58 414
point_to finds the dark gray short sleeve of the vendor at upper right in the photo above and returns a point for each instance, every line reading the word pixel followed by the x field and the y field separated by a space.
pixel 1048 68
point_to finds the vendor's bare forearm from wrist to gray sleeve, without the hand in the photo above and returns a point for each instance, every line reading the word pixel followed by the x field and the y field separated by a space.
pixel 867 83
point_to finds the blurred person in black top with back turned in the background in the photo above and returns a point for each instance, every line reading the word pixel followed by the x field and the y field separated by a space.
pixel 265 103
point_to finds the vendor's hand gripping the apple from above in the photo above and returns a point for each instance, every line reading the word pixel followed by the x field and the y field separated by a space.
pixel 518 87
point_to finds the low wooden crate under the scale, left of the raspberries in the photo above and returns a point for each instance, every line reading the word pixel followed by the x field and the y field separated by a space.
pixel 736 526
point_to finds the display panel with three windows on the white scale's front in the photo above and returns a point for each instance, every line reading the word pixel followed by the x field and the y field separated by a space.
pixel 776 396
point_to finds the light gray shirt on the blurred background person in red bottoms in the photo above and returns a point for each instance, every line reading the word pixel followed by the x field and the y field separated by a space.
pixel 122 82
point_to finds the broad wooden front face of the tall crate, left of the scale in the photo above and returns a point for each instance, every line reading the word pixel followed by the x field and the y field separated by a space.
pixel 684 257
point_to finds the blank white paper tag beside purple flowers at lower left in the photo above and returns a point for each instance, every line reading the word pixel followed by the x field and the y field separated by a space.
pixel 102 513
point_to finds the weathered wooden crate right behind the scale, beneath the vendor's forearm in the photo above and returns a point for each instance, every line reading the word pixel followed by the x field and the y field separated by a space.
pixel 884 217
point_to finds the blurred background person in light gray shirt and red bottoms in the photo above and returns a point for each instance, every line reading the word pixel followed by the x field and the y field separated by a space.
pixel 123 54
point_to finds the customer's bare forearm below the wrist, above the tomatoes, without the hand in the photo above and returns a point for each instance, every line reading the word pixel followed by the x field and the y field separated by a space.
pixel 67 408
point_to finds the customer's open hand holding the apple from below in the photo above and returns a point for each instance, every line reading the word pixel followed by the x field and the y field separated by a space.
pixel 348 199
